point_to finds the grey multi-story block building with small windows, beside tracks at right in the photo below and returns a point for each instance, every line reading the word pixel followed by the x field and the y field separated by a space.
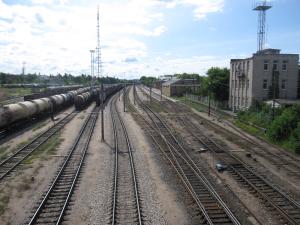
pixel 252 78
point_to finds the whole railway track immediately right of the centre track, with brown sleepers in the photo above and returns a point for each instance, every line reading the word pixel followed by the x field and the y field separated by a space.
pixel 214 210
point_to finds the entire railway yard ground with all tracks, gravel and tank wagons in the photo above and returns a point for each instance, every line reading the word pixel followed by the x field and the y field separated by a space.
pixel 161 163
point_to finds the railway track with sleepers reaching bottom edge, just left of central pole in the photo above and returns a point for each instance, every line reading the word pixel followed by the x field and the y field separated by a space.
pixel 53 205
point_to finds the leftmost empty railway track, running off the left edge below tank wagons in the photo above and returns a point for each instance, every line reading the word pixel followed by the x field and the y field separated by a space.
pixel 8 165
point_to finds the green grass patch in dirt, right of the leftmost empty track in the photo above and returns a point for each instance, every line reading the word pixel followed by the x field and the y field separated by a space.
pixel 46 149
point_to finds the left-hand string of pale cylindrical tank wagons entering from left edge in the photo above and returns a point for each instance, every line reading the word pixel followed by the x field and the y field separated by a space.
pixel 13 114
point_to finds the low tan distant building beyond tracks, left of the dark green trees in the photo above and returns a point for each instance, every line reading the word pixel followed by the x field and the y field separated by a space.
pixel 179 87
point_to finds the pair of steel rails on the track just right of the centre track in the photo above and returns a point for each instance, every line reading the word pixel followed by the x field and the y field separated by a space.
pixel 189 162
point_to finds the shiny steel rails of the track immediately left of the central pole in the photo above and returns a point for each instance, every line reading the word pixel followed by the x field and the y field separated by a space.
pixel 90 121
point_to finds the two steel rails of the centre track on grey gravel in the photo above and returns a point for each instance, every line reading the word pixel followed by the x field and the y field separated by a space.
pixel 132 165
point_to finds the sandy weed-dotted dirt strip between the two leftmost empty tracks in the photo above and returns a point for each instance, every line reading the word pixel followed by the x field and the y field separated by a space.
pixel 23 190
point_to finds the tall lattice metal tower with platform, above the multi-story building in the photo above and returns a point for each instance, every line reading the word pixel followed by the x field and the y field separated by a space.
pixel 261 7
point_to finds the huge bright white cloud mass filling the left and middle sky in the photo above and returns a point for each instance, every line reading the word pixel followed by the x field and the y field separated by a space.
pixel 55 36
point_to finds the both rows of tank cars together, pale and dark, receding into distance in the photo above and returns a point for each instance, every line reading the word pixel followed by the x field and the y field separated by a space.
pixel 12 114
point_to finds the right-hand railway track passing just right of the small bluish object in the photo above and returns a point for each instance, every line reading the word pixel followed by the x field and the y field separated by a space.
pixel 284 207
